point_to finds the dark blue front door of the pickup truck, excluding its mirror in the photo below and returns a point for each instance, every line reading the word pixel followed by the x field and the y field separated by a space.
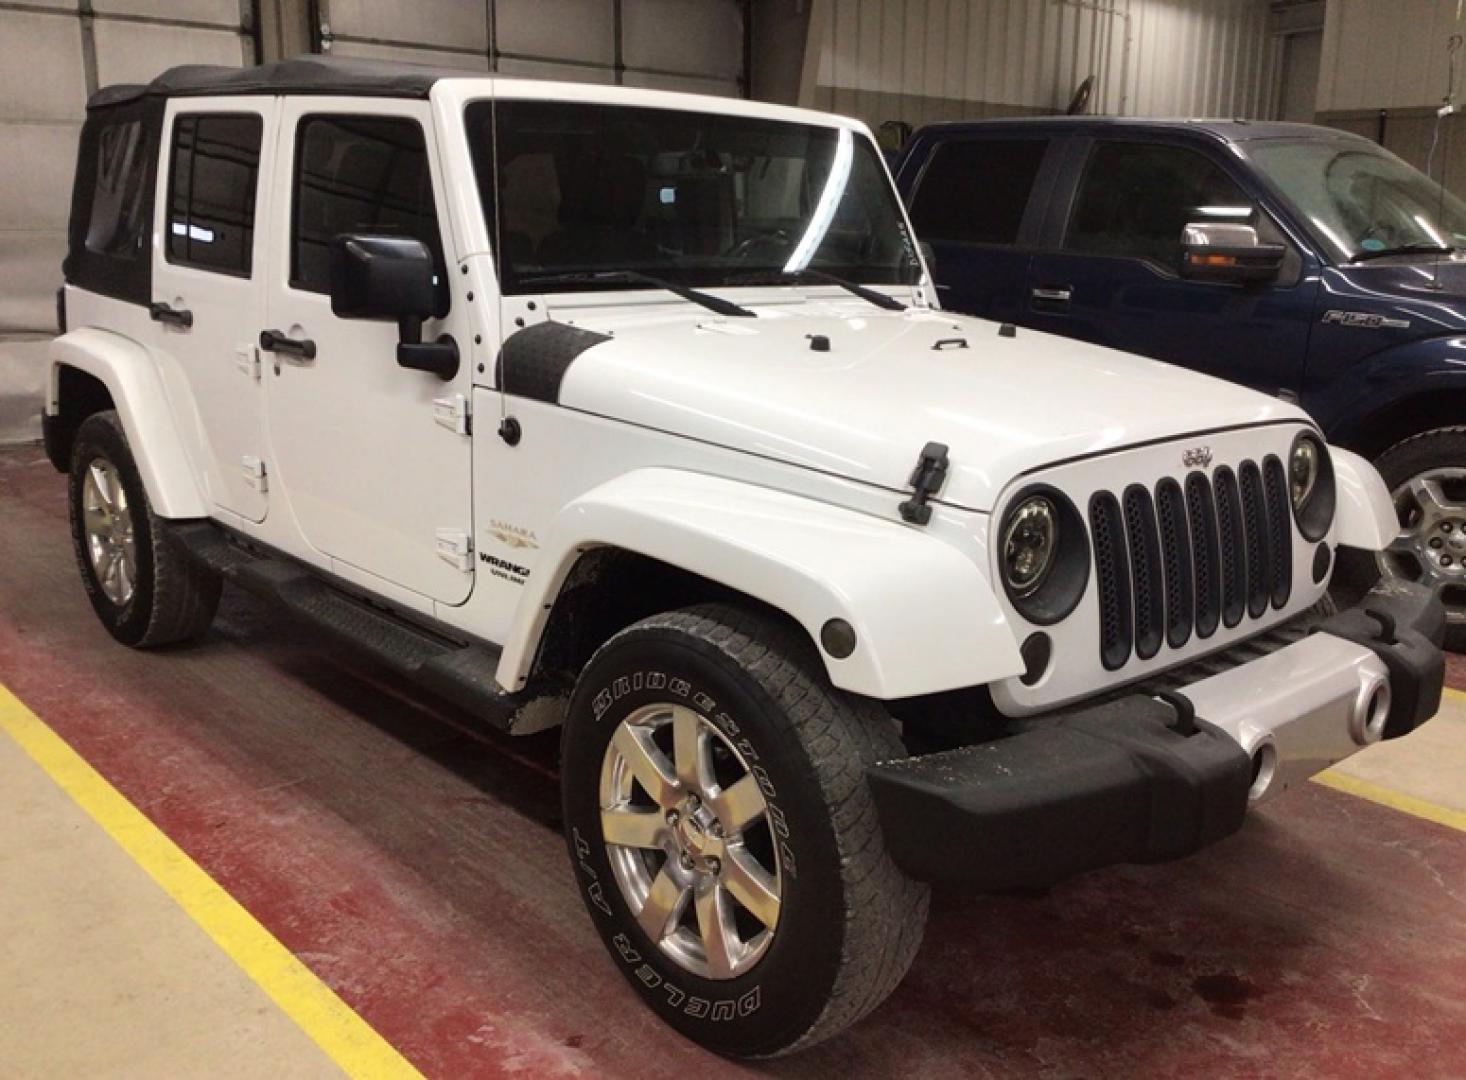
pixel 1109 272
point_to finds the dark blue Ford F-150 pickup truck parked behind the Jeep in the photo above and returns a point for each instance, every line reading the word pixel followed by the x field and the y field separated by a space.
pixel 1303 262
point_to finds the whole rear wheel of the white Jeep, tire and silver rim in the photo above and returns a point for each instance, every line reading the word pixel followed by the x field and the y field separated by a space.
pixel 144 591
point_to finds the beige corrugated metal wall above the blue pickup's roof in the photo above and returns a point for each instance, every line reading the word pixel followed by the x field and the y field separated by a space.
pixel 923 61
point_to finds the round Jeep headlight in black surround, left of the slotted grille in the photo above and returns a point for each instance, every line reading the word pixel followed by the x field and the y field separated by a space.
pixel 1043 555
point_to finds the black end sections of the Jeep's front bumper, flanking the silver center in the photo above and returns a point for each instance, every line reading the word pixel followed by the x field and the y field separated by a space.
pixel 1131 780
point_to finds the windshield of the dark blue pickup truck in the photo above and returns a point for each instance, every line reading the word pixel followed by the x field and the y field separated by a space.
pixel 1361 201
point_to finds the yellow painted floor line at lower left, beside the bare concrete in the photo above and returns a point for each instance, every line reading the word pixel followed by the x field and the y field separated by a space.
pixel 347 1038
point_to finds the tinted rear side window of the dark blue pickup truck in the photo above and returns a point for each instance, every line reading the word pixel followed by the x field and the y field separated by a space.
pixel 976 191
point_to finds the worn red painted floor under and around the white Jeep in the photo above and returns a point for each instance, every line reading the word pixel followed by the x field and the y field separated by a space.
pixel 416 865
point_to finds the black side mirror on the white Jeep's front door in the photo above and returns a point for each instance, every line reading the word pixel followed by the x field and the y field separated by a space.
pixel 394 278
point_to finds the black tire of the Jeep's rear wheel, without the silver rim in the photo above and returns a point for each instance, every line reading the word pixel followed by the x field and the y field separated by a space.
pixel 174 599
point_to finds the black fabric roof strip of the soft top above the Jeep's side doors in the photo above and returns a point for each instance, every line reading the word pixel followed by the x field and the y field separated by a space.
pixel 300 75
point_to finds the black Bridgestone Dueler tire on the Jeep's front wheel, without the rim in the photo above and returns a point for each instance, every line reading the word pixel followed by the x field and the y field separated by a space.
pixel 851 921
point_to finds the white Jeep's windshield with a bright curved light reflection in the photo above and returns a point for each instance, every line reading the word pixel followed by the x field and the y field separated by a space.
pixel 572 190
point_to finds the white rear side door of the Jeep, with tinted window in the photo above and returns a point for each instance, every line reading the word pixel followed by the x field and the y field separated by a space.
pixel 209 285
